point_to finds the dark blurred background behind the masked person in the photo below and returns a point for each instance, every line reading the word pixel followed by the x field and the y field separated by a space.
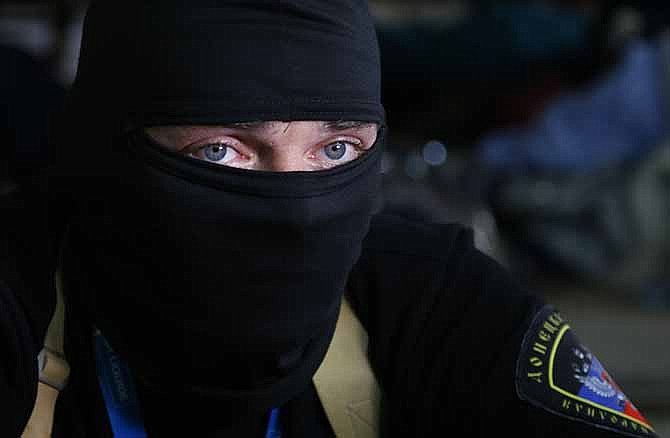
pixel 542 124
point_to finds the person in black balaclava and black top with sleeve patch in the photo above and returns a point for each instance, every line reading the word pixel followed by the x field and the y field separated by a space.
pixel 221 170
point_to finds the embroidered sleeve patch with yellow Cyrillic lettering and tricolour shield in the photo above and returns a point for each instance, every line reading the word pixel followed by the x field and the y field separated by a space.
pixel 558 373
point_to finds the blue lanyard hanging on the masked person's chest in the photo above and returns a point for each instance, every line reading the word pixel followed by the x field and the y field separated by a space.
pixel 118 390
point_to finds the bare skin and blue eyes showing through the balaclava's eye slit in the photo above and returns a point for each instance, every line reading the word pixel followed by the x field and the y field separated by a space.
pixel 271 146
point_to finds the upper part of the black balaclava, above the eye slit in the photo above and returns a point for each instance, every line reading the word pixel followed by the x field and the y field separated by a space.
pixel 207 61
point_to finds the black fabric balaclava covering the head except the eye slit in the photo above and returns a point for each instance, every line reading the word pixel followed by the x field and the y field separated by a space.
pixel 211 280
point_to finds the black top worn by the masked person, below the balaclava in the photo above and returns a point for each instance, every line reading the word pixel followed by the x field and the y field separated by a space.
pixel 446 325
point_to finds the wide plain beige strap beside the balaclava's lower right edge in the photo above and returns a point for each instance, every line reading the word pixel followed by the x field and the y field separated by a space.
pixel 345 382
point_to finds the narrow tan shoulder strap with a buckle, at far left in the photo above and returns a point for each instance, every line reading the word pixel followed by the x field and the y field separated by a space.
pixel 54 372
